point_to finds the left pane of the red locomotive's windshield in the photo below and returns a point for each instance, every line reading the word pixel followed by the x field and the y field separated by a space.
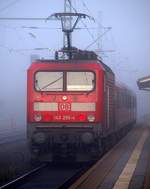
pixel 49 81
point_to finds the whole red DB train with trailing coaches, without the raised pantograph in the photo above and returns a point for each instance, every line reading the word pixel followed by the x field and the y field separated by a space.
pixel 74 107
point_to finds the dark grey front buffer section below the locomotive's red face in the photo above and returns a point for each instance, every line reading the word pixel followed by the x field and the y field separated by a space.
pixel 72 144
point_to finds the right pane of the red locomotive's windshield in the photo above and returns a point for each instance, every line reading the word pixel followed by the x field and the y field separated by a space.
pixel 80 81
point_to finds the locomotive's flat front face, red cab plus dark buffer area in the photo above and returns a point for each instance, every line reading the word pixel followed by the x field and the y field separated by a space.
pixel 64 108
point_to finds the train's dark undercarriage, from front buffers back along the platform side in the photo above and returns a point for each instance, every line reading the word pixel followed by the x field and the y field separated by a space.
pixel 67 144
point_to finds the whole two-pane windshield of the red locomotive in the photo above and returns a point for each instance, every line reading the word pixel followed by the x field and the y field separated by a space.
pixel 64 81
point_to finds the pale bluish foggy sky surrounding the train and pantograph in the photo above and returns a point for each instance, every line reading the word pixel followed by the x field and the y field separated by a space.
pixel 128 41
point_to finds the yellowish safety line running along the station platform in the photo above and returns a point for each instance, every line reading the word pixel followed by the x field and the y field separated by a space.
pixel 127 173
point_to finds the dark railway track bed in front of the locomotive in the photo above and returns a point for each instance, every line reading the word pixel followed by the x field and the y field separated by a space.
pixel 48 177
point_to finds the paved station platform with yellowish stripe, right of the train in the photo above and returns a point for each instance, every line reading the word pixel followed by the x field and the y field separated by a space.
pixel 125 166
